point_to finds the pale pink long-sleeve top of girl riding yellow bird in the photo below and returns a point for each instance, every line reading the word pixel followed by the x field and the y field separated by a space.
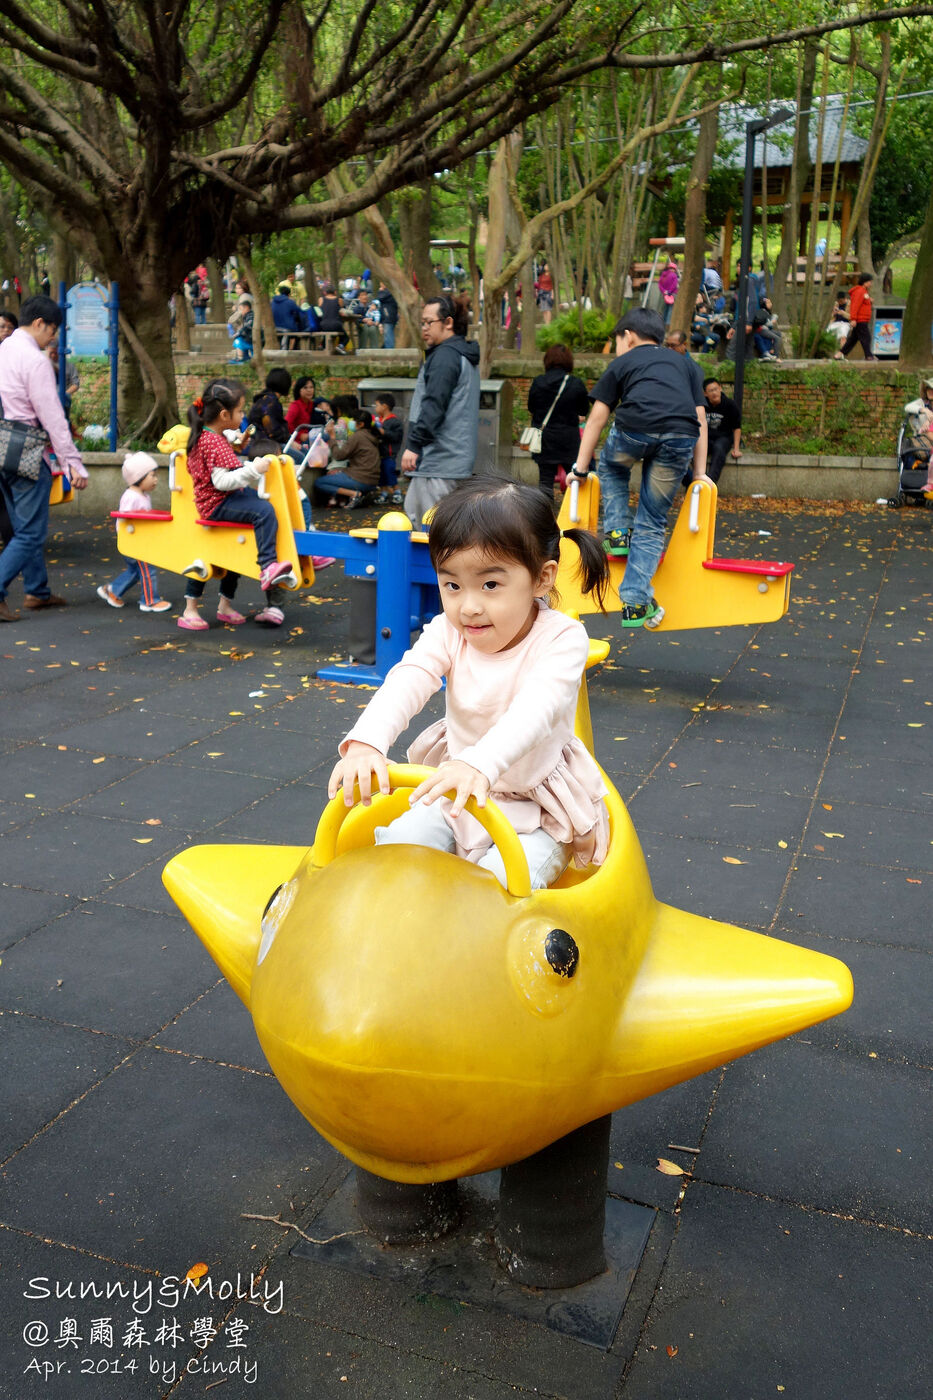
pixel 511 716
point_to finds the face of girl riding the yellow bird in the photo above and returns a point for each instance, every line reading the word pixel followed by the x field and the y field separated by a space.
pixel 490 600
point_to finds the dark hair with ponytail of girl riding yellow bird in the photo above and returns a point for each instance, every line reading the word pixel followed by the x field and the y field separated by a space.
pixel 511 520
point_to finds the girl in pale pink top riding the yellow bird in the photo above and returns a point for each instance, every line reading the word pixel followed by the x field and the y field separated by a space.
pixel 513 668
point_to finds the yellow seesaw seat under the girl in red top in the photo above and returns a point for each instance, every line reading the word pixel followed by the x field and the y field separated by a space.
pixel 183 542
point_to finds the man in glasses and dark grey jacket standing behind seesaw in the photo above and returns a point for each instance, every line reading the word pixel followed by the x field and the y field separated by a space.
pixel 445 416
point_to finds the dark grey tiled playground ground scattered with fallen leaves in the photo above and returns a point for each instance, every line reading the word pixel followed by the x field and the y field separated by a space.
pixel 780 779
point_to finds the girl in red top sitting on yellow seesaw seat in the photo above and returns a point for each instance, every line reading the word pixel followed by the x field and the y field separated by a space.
pixel 225 492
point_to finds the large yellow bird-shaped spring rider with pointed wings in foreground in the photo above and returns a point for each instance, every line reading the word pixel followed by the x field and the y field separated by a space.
pixel 432 1024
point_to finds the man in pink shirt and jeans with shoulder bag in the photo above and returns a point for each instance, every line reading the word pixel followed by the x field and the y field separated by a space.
pixel 29 395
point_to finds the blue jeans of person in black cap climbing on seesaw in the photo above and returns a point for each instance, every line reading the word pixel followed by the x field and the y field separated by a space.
pixel 665 458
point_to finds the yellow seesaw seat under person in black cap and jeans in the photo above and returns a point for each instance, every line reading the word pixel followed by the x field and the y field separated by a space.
pixel 694 587
